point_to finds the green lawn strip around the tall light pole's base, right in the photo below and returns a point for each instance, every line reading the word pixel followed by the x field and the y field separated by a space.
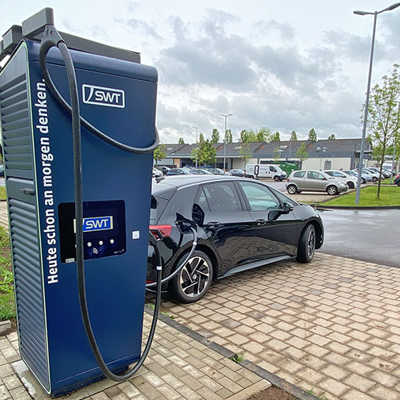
pixel 390 196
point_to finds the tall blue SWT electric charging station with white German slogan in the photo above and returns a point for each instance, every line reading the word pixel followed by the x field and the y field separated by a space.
pixel 78 205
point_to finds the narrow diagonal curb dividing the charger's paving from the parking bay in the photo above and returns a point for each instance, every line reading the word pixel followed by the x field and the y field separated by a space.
pixel 275 380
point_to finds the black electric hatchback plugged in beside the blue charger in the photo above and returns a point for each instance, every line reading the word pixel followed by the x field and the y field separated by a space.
pixel 241 224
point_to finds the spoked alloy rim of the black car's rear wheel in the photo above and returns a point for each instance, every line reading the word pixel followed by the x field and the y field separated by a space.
pixel 195 277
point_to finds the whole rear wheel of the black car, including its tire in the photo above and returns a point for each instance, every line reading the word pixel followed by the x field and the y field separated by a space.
pixel 197 274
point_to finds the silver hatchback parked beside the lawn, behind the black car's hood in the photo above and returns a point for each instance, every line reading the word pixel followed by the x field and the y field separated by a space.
pixel 314 181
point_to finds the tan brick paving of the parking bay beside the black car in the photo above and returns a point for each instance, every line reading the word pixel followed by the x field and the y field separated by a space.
pixel 331 326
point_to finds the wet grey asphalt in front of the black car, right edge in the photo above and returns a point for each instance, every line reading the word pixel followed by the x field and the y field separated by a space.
pixel 368 235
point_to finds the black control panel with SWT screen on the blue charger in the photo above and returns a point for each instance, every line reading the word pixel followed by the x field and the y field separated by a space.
pixel 103 229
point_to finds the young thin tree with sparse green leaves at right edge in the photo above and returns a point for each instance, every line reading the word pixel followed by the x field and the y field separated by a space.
pixel 384 116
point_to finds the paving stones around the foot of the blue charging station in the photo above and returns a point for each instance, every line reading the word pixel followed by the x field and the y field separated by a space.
pixel 177 367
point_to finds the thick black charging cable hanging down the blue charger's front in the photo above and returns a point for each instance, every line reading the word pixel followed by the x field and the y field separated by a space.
pixel 51 38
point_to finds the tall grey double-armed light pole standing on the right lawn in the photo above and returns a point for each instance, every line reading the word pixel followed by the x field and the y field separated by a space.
pixel 361 160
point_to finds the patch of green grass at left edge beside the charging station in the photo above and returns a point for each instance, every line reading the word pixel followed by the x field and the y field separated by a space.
pixel 7 305
